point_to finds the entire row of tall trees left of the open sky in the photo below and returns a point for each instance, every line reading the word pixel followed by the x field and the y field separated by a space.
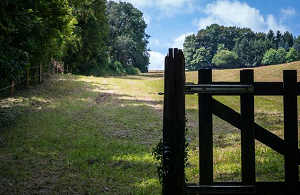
pixel 93 37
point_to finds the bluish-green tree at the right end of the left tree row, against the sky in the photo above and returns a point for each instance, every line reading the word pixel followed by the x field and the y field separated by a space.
pixel 127 38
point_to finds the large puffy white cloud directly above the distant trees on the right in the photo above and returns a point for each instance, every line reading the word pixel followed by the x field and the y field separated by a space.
pixel 236 13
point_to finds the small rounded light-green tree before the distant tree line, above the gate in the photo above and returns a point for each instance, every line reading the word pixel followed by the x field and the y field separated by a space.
pixel 226 59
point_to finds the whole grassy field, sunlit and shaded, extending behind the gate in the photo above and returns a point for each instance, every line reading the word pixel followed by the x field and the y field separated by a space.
pixel 94 135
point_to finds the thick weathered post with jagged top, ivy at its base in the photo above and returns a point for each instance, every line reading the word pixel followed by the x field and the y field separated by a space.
pixel 174 124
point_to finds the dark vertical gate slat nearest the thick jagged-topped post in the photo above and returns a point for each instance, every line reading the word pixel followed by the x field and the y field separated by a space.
pixel 205 130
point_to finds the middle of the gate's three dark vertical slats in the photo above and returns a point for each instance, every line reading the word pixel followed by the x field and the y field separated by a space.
pixel 247 130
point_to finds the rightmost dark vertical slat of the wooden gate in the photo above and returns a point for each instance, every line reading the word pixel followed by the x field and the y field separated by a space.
pixel 290 132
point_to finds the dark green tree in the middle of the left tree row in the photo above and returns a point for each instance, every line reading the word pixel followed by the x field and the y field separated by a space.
pixel 88 52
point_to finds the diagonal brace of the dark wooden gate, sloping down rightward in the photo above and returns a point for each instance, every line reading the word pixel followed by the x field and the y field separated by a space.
pixel 261 134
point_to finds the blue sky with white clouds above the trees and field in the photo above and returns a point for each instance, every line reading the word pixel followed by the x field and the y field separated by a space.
pixel 169 21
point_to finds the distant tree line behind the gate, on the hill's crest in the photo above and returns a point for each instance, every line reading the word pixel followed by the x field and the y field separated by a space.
pixel 234 47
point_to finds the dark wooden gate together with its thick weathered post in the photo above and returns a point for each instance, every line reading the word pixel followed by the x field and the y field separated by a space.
pixel 174 128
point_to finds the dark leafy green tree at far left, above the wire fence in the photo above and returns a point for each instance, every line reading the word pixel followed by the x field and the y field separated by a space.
pixel 31 32
